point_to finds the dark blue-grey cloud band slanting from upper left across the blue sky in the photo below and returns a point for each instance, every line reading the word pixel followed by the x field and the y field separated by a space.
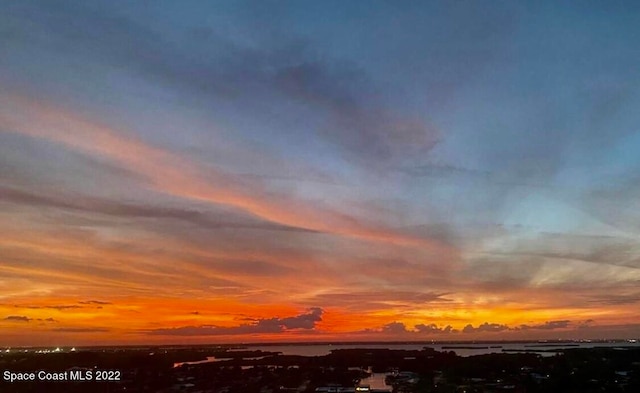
pixel 346 108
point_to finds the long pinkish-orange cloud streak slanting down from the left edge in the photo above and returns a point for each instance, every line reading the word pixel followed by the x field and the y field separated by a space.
pixel 178 176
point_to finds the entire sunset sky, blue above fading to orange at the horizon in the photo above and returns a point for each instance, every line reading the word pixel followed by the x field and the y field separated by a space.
pixel 204 172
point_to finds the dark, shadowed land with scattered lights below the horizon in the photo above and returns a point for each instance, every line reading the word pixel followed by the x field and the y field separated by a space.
pixel 152 370
